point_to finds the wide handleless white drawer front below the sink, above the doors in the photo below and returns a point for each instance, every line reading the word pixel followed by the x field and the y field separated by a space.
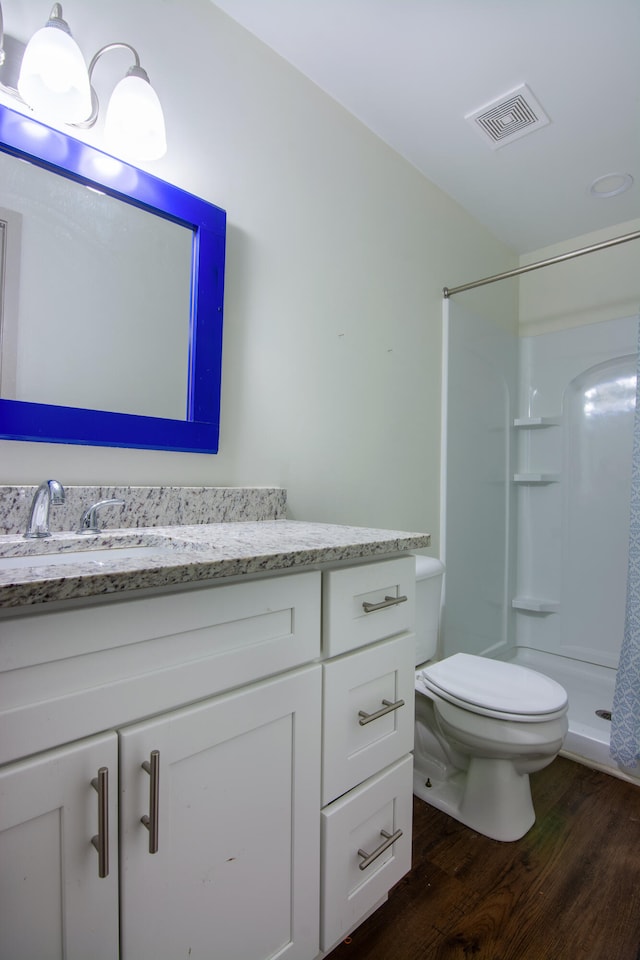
pixel 71 673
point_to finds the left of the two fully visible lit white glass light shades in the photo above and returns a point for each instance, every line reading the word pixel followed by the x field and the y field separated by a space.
pixel 53 79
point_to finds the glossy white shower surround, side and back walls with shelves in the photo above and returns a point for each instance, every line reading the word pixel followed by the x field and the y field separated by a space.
pixel 536 491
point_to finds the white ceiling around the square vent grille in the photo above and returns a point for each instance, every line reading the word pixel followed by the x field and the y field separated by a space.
pixel 411 70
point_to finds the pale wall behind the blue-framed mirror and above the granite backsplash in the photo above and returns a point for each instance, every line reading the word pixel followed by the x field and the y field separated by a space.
pixel 338 250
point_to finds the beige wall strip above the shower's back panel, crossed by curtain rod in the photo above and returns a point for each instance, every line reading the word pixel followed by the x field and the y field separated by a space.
pixel 603 285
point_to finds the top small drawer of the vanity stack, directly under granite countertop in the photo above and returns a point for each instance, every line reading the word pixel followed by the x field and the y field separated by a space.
pixel 367 603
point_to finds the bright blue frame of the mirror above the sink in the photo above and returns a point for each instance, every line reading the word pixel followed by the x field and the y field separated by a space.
pixel 31 140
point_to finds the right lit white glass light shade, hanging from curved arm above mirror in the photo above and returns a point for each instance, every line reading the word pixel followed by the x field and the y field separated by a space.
pixel 134 124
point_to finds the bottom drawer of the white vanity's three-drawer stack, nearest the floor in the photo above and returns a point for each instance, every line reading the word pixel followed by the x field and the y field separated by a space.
pixel 362 822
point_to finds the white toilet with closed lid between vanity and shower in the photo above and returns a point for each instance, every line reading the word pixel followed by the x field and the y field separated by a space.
pixel 482 726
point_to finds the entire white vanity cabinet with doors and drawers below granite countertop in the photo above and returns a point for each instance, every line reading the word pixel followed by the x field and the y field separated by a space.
pixel 251 744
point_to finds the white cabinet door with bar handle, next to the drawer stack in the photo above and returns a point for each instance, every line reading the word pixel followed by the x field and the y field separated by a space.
pixel 236 872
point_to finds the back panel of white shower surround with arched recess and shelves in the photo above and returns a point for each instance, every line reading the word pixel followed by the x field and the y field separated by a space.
pixel 576 409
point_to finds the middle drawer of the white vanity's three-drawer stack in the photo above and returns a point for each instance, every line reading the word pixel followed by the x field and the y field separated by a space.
pixel 354 746
